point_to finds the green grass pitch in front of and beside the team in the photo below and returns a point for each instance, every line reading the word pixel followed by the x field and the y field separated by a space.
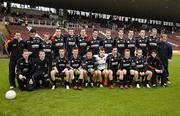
pixel 93 101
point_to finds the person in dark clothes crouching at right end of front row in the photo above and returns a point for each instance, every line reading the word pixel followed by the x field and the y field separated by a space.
pixel 156 66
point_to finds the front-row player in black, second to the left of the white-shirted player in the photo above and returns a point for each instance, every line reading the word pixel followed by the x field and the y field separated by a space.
pixel 76 72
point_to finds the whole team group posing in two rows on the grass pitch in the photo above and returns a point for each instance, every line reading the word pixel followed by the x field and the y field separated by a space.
pixel 78 61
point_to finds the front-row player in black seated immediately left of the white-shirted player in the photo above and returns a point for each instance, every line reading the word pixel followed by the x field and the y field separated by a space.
pixel 89 66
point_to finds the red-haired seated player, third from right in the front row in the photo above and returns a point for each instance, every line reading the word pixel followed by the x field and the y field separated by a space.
pixel 127 65
